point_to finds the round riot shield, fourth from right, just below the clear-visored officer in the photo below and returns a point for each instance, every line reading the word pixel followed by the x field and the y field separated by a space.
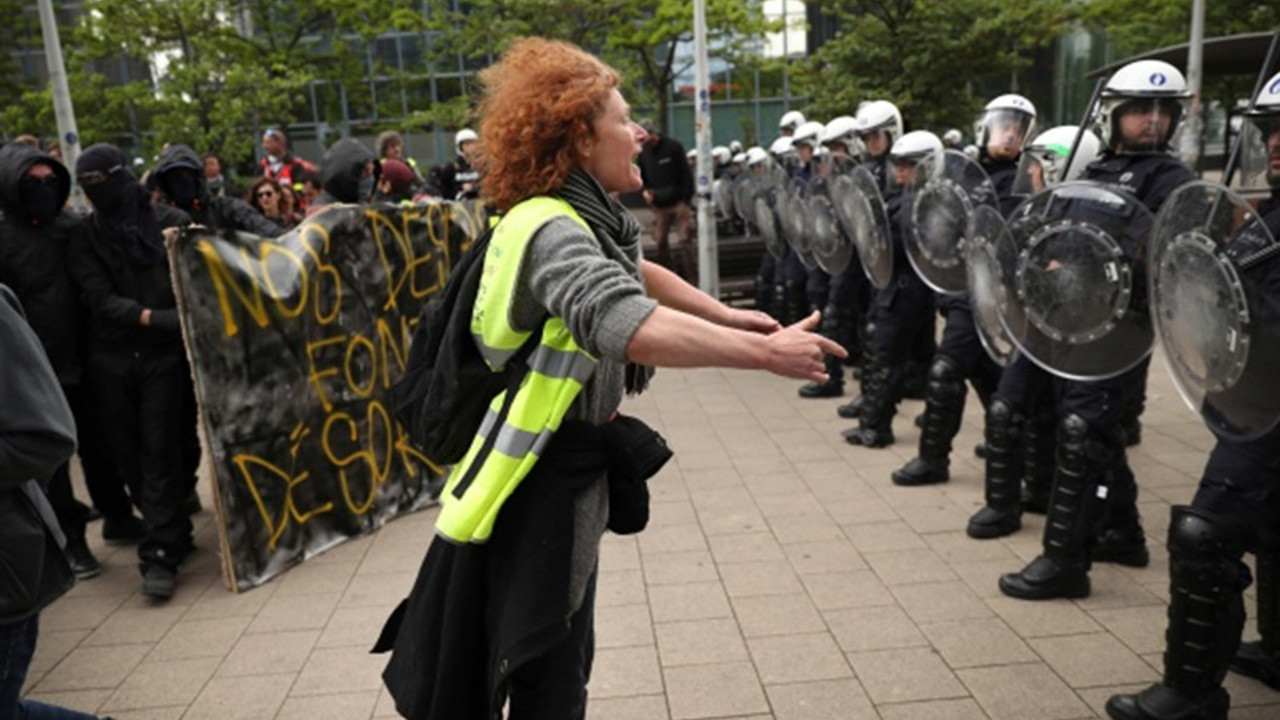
pixel 940 204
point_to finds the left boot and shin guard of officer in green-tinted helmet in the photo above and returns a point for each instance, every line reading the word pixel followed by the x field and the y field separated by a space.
pixel 1003 514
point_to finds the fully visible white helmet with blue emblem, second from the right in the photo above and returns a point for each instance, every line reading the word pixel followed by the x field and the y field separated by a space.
pixel 1153 86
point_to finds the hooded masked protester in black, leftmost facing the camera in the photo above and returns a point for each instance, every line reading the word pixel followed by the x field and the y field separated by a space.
pixel 35 235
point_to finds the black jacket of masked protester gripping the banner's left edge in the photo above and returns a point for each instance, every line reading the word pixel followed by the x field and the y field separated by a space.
pixel 116 285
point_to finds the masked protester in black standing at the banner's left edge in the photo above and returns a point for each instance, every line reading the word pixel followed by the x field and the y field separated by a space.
pixel 136 359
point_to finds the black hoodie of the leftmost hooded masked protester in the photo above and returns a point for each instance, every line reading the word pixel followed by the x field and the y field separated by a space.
pixel 34 262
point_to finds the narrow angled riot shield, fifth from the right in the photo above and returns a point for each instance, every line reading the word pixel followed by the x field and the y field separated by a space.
pixel 861 212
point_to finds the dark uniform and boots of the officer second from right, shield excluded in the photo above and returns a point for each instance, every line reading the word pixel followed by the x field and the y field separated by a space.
pixel 1091 452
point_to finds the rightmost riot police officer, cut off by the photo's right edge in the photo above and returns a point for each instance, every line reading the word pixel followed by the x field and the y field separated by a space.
pixel 1237 507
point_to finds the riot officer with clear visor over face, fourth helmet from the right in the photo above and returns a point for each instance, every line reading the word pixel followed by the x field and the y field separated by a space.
pixel 1003 130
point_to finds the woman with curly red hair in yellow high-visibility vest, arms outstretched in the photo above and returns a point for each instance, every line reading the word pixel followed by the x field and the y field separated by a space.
pixel 504 608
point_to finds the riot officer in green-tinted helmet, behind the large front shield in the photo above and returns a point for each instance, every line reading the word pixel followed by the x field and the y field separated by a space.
pixel 1021 422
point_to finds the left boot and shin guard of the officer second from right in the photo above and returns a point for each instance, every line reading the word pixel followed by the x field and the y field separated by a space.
pixel 1063 569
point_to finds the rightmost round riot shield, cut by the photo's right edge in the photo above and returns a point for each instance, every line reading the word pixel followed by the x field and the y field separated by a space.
pixel 1217 320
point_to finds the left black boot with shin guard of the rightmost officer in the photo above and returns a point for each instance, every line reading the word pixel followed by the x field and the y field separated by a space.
pixel 1206 616
